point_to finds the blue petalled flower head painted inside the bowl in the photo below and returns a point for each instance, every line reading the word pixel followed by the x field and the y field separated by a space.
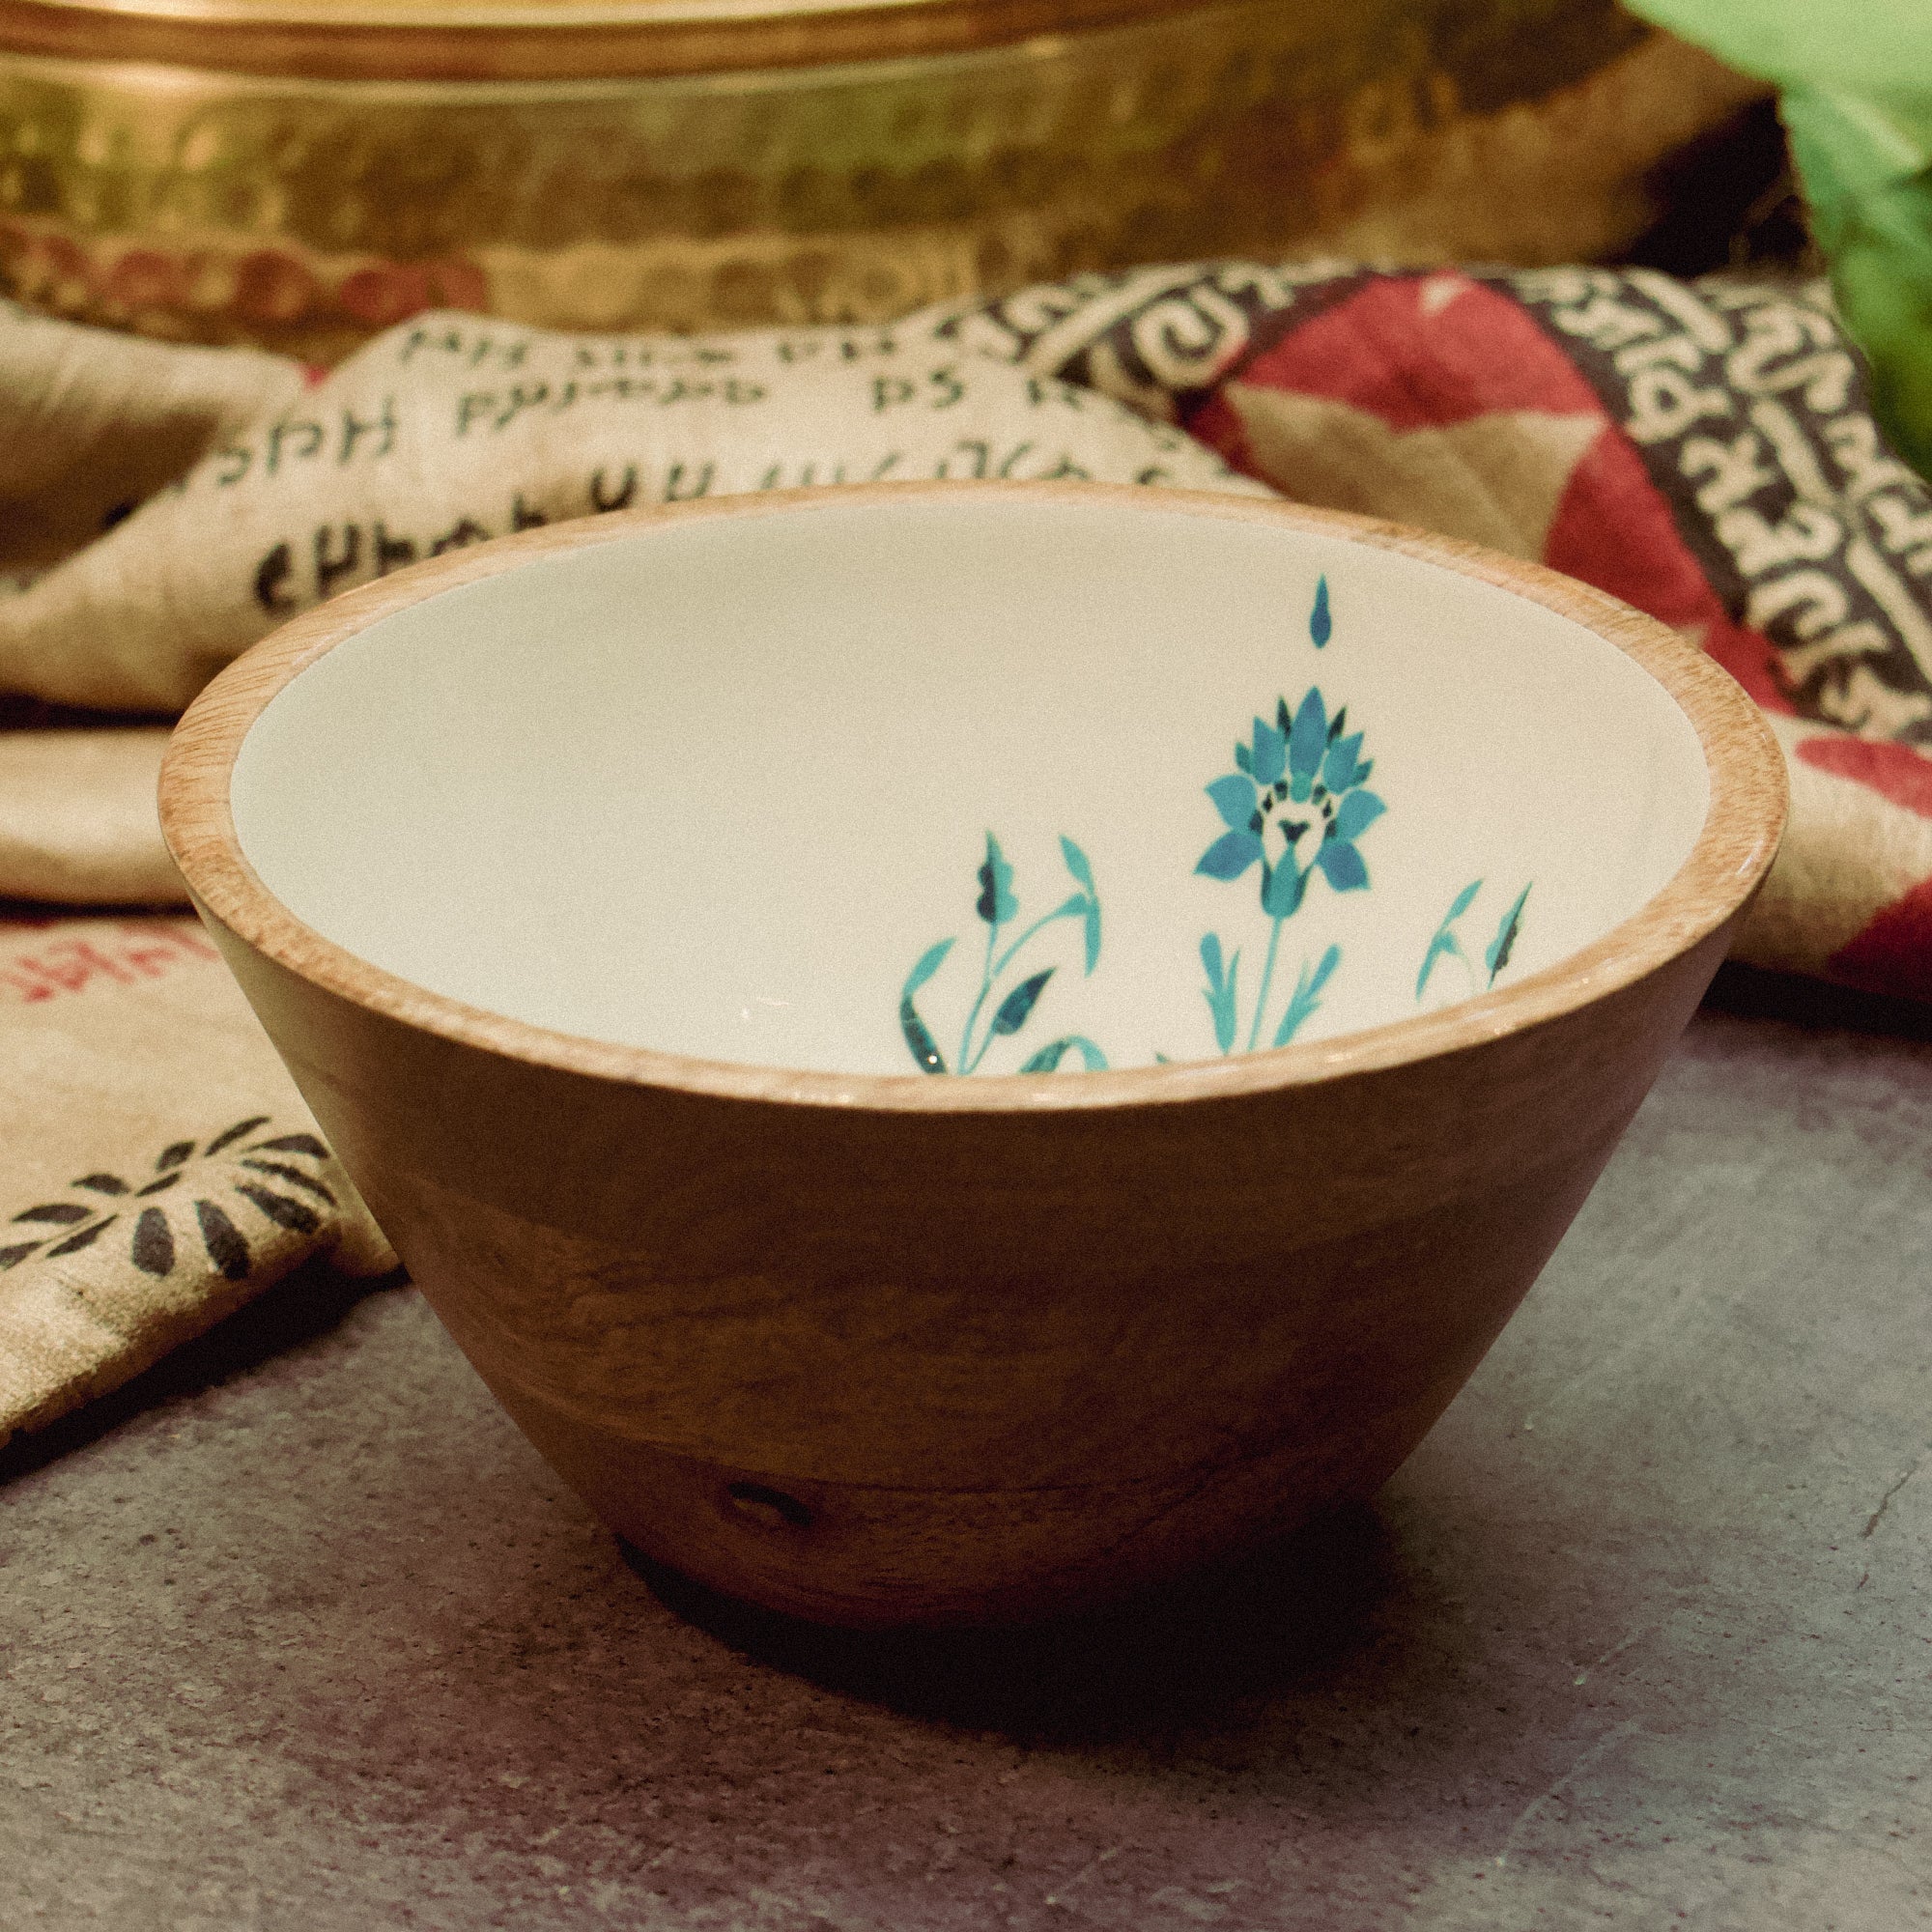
pixel 1301 776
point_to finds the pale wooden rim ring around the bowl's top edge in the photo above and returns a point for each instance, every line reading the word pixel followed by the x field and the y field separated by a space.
pixel 1719 876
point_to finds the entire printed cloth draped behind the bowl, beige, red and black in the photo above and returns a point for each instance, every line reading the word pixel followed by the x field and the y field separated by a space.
pixel 1703 451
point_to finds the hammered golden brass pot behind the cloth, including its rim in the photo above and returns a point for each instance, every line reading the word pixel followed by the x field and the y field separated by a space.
pixel 298 173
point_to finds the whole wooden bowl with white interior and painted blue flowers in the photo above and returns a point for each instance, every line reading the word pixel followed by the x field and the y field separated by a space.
pixel 629 899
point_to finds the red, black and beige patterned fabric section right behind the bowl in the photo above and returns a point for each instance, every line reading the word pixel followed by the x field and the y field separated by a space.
pixel 1703 451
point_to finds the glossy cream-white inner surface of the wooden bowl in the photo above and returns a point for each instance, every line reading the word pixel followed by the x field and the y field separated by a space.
pixel 722 785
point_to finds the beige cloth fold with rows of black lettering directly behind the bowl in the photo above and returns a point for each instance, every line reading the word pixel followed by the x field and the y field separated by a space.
pixel 453 430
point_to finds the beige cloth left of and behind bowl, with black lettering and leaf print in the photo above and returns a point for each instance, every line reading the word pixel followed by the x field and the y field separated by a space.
pixel 159 1166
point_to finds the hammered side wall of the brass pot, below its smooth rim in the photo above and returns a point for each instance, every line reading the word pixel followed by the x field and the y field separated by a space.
pixel 310 213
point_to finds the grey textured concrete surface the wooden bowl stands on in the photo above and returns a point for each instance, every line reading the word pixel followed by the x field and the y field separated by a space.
pixel 300 1635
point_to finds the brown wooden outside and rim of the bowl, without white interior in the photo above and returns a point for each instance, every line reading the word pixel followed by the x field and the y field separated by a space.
pixel 884 1350
